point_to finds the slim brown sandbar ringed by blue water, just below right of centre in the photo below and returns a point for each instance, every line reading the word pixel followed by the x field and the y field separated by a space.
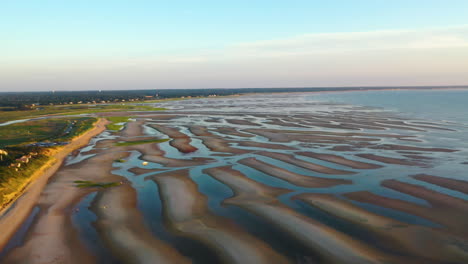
pixel 291 177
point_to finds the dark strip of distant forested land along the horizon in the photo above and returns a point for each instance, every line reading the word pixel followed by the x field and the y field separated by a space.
pixel 24 100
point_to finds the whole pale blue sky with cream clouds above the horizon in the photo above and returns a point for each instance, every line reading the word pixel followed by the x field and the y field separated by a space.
pixel 138 44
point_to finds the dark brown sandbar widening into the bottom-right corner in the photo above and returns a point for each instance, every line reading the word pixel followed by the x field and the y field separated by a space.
pixel 394 235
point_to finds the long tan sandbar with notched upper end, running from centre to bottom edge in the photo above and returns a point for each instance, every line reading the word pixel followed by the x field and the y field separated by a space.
pixel 259 199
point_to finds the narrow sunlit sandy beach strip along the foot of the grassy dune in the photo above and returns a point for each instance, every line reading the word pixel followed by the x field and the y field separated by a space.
pixel 11 217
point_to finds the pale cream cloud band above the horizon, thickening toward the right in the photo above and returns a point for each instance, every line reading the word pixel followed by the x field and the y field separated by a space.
pixel 433 56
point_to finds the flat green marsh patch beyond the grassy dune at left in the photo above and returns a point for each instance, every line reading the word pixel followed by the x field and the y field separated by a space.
pixel 44 130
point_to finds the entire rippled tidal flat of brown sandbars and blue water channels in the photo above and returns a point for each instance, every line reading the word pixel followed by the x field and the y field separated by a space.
pixel 270 178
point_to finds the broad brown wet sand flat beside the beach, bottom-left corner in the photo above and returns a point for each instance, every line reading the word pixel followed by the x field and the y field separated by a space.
pixel 52 237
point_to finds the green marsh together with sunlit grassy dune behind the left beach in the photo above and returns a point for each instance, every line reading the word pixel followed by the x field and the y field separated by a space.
pixel 21 161
